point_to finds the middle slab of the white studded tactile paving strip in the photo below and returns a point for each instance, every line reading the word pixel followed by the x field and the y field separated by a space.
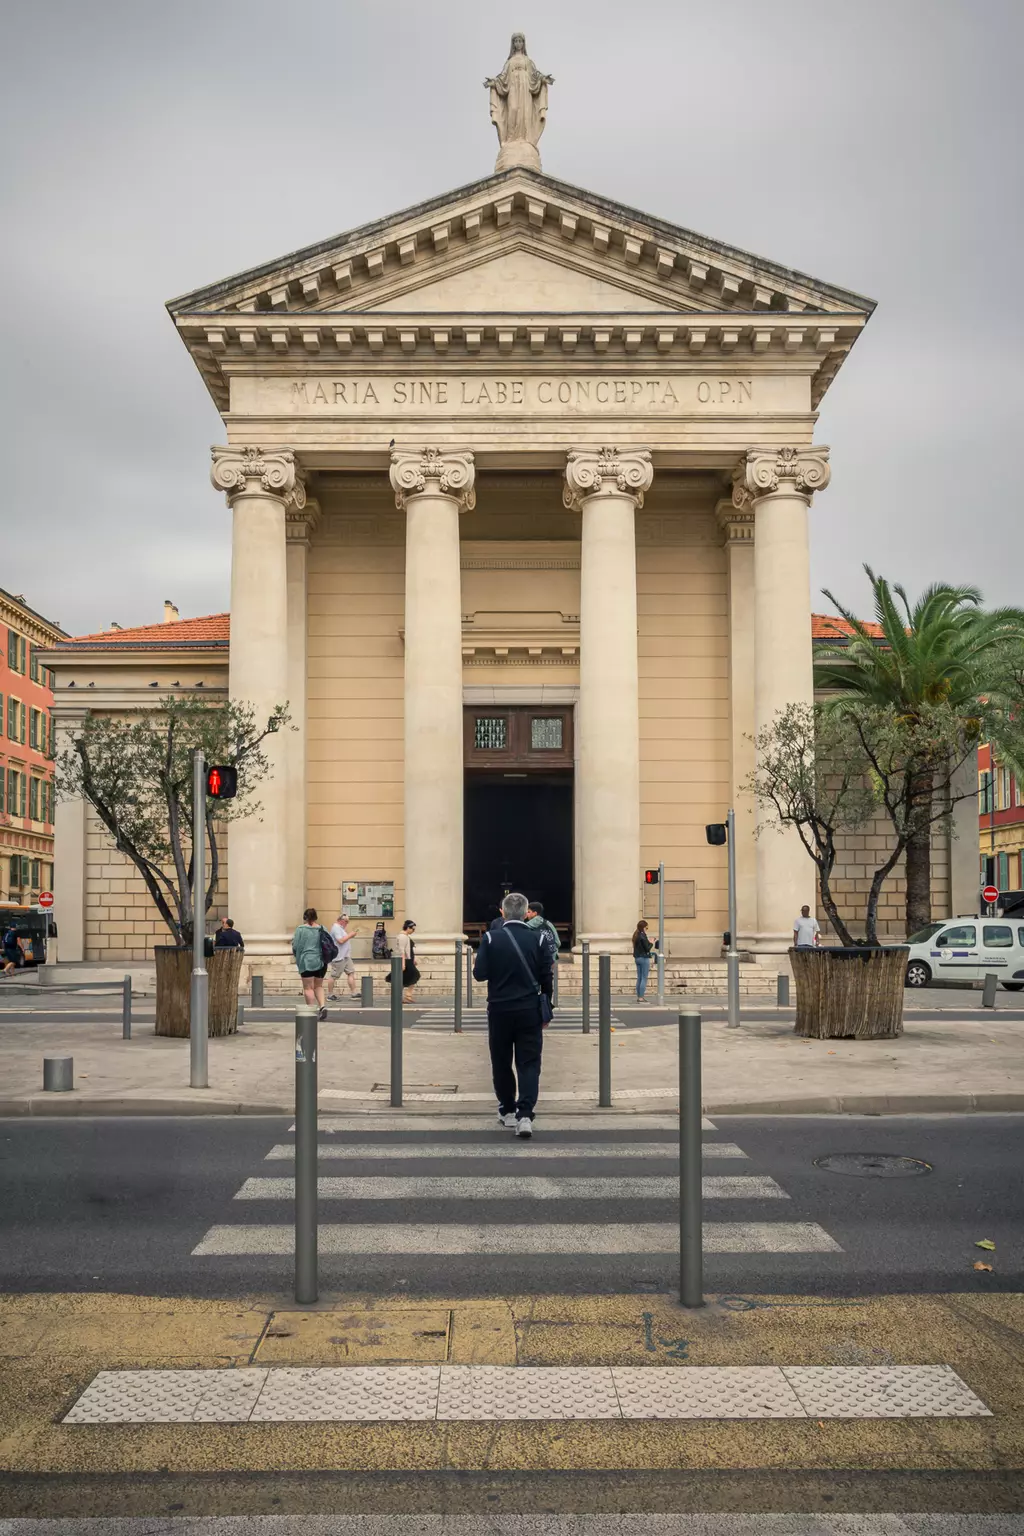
pixel 527 1392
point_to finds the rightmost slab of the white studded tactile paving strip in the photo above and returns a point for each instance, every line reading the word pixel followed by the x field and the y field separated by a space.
pixel 884 1392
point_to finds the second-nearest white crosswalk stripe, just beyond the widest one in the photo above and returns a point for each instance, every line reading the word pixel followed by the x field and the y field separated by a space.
pixel 514 1187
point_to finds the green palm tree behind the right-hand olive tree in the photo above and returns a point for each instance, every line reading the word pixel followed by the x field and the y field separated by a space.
pixel 942 650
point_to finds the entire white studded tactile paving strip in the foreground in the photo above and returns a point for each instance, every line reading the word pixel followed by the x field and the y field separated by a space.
pixel 487 1394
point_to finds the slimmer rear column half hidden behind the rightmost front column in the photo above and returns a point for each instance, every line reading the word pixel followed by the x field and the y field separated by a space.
pixel 738 526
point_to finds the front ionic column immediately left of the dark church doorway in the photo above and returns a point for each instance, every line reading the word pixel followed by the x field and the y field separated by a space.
pixel 434 488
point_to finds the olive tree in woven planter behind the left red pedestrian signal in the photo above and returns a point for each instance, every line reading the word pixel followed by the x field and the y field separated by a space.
pixel 136 772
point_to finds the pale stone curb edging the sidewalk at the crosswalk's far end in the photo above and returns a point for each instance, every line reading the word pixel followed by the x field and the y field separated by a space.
pixel 71 1105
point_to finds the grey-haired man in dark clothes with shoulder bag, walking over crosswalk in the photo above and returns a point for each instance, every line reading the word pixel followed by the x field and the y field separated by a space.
pixel 517 964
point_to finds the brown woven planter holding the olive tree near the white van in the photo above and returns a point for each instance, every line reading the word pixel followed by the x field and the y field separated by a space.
pixel 850 995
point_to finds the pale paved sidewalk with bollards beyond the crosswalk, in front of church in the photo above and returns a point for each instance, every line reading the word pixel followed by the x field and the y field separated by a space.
pixel 764 1068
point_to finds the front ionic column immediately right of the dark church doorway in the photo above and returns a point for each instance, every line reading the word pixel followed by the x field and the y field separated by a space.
pixel 609 488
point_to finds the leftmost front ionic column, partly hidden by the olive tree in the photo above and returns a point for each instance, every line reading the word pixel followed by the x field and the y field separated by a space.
pixel 260 486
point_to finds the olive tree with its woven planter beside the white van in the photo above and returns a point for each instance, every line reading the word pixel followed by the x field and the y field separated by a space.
pixel 827 770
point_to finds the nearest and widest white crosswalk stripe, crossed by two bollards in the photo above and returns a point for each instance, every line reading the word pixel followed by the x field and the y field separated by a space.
pixel 451 1239
